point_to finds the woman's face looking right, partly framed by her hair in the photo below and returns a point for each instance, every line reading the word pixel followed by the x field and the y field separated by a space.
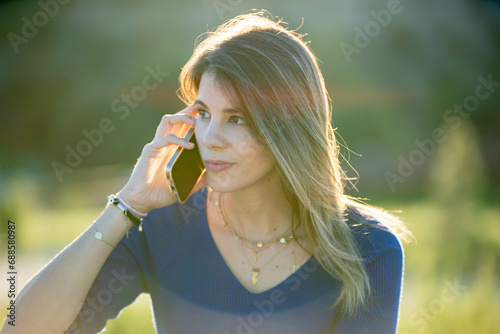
pixel 222 134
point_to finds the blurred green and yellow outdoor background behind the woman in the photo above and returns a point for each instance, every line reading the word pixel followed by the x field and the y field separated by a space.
pixel 394 81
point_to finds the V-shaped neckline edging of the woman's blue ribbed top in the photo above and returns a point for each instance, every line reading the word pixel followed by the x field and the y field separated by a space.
pixel 220 258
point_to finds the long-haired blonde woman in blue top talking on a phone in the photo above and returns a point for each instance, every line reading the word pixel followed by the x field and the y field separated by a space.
pixel 267 241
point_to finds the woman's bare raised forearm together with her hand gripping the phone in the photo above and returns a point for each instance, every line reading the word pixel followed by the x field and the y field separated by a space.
pixel 51 301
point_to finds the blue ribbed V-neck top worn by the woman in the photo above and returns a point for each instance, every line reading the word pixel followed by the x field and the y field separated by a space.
pixel 176 261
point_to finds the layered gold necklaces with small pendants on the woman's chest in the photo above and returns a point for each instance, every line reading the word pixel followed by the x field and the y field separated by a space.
pixel 255 271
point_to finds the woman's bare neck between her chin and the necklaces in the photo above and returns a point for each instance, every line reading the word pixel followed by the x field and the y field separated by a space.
pixel 260 212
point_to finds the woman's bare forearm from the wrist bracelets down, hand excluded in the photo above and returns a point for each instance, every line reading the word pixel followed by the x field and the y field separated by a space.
pixel 52 299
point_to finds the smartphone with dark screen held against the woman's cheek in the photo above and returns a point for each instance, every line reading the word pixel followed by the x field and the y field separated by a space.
pixel 185 169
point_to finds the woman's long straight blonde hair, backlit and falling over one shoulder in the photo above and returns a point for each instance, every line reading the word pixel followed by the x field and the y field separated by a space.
pixel 271 75
